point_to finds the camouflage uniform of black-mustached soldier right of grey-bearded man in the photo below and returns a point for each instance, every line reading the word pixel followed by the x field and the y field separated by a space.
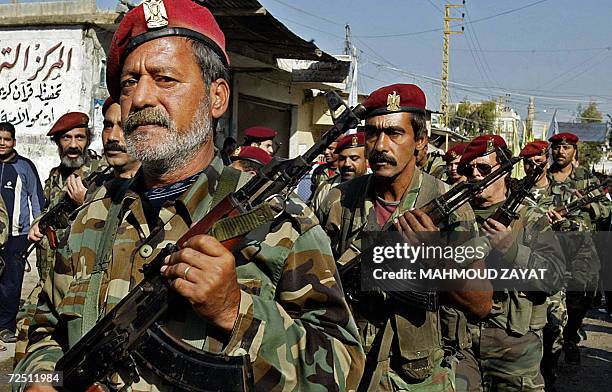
pixel 420 357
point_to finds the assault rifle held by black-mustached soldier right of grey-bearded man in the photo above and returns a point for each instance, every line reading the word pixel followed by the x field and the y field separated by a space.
pixel 439 209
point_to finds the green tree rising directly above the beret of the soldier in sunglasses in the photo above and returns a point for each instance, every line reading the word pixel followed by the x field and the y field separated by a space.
pixel 473 119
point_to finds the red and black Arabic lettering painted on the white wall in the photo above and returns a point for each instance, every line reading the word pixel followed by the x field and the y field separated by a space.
pixel 40 77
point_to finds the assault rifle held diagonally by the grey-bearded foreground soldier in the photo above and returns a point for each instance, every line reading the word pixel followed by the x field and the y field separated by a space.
pixel 133 333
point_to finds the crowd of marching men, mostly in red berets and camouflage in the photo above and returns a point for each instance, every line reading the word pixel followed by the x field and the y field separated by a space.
pixel 277 296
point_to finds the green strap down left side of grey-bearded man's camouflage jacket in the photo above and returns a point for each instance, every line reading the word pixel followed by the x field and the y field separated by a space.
pixel 103 255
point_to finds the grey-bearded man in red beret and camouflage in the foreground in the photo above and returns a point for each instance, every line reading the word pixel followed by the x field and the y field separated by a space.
pixel 287 318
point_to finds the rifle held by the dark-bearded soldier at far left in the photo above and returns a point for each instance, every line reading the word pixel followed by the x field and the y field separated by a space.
pixel 58 216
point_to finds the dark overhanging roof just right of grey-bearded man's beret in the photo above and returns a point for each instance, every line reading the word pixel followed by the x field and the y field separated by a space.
pixel 254 32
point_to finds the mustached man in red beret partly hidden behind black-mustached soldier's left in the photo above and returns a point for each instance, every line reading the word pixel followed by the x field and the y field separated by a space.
pixel 351 163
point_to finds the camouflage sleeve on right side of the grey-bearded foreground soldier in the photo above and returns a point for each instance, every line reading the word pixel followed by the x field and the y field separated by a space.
pixel 305 338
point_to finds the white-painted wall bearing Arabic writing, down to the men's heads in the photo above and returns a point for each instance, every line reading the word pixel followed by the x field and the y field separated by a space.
pixel 44 73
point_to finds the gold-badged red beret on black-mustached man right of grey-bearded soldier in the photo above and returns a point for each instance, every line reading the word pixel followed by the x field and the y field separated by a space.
pixel 395 98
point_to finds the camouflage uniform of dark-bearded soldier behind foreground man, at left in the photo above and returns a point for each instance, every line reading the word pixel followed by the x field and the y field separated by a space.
pixel 45 256
